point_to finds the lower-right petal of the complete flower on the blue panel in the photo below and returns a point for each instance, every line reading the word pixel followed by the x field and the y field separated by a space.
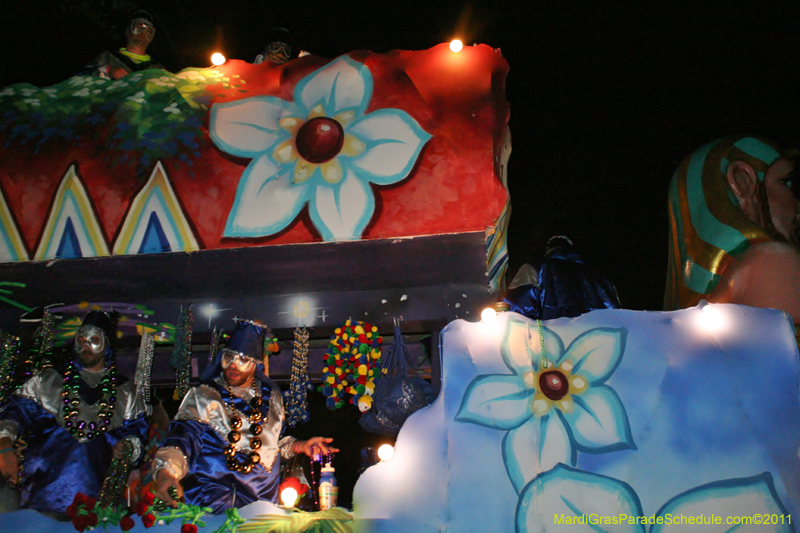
pixel 599 422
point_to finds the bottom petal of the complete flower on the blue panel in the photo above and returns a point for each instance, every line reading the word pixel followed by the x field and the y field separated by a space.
pixel 534 447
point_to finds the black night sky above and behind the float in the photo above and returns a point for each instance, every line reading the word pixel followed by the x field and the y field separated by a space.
pixel 605 101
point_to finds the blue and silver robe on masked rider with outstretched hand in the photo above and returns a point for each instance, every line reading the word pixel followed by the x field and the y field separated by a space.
pixel 194 450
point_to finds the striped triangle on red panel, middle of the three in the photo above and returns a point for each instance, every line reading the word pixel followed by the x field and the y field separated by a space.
pixel 72 226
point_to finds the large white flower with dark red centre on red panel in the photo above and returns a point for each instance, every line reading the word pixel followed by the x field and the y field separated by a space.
pixel 321 149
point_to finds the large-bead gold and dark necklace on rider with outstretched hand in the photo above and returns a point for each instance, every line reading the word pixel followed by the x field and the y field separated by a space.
pixel 252 410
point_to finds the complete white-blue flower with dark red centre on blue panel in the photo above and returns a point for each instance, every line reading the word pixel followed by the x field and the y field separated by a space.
pixel 551 412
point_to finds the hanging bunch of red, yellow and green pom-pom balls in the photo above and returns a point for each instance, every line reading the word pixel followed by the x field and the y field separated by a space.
pixel 351 364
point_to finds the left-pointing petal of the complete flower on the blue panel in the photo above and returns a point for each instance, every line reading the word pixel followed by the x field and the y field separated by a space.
pixel 496 401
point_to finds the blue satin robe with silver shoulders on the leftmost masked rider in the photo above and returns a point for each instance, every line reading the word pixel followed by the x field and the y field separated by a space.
pixel 57 465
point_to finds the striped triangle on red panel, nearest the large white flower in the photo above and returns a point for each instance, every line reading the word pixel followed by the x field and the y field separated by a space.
pixel 155 222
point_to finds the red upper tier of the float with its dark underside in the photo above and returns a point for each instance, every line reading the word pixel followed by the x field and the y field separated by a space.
pixel 367 183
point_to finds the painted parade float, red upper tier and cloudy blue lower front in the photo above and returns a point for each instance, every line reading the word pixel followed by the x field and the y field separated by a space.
pixel 372 185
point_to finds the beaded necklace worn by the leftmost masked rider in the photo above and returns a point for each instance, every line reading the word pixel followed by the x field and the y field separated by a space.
pixel 88 429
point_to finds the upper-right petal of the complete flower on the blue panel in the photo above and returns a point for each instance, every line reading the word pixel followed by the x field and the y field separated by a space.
pixel 596 353
